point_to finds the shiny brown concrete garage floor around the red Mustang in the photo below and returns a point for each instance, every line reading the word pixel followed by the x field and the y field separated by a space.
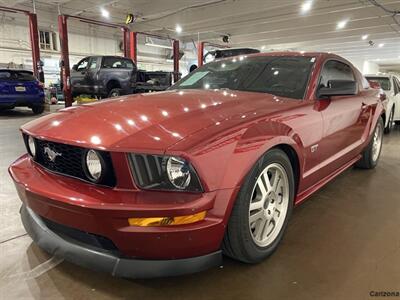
pixel 341 244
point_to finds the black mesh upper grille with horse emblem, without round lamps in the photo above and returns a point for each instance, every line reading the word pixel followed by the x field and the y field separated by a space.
pixel 69 161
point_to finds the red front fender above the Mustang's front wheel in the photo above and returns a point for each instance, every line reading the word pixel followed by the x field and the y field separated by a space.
pixel 223 161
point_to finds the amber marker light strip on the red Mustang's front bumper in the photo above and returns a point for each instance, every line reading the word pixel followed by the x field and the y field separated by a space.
pixel 167 221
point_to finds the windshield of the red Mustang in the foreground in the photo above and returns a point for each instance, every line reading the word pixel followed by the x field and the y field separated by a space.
pixel 285 76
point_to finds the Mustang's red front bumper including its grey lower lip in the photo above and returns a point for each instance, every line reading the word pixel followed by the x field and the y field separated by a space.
pixel 103 212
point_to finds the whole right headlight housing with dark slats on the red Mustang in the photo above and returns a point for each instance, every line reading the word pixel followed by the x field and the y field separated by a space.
pixel 157 172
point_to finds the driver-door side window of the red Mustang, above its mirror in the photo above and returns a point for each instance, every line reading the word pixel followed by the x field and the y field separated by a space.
pixel 335 70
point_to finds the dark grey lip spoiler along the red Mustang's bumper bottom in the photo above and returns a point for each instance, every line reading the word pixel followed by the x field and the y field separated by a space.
pixel 107 262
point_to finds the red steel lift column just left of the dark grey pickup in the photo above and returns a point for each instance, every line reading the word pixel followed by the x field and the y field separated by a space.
pixel 65 69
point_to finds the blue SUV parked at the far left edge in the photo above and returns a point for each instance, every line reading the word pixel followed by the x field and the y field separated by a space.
pixel 21 88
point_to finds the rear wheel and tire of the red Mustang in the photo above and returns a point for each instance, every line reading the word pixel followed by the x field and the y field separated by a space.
pixel 371 154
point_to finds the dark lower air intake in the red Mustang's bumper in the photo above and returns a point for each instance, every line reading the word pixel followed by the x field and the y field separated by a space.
pixel 76 235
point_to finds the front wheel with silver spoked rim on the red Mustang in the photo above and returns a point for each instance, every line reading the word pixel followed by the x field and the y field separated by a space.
pixel 262 209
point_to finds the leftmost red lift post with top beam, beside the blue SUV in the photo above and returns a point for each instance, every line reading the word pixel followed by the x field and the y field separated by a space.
pixel 34 39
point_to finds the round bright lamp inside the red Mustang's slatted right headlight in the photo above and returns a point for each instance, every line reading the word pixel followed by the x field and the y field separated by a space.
pixel 178 172
